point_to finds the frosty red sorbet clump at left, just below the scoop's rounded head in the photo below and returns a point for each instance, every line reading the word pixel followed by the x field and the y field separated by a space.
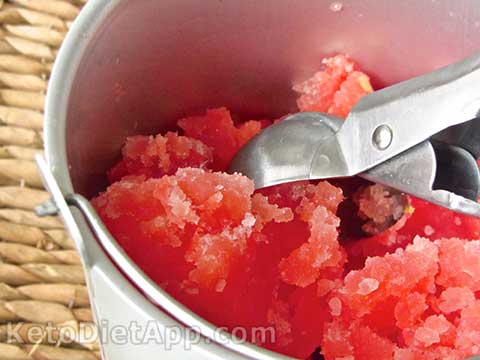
pixel 211 212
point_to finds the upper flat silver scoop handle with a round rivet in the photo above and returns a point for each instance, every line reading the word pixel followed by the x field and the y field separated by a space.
pixel 413 111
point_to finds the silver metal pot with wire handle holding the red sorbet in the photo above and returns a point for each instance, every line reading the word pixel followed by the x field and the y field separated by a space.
pixel 131 67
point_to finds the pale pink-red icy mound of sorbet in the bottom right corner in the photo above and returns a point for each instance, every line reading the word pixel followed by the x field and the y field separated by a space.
pixel 402 307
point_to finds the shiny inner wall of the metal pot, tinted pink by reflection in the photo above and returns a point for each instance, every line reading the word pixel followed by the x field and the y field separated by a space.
pixel 154 61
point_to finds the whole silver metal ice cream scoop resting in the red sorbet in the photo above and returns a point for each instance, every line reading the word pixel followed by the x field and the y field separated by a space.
pixel 417 136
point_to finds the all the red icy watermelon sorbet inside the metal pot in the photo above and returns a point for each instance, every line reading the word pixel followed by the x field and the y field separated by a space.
pixel 340 269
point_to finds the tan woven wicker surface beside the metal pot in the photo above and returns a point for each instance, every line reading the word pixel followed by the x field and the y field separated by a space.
pixel 42 284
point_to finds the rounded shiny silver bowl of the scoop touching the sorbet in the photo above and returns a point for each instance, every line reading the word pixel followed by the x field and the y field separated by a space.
pixel 301 147
